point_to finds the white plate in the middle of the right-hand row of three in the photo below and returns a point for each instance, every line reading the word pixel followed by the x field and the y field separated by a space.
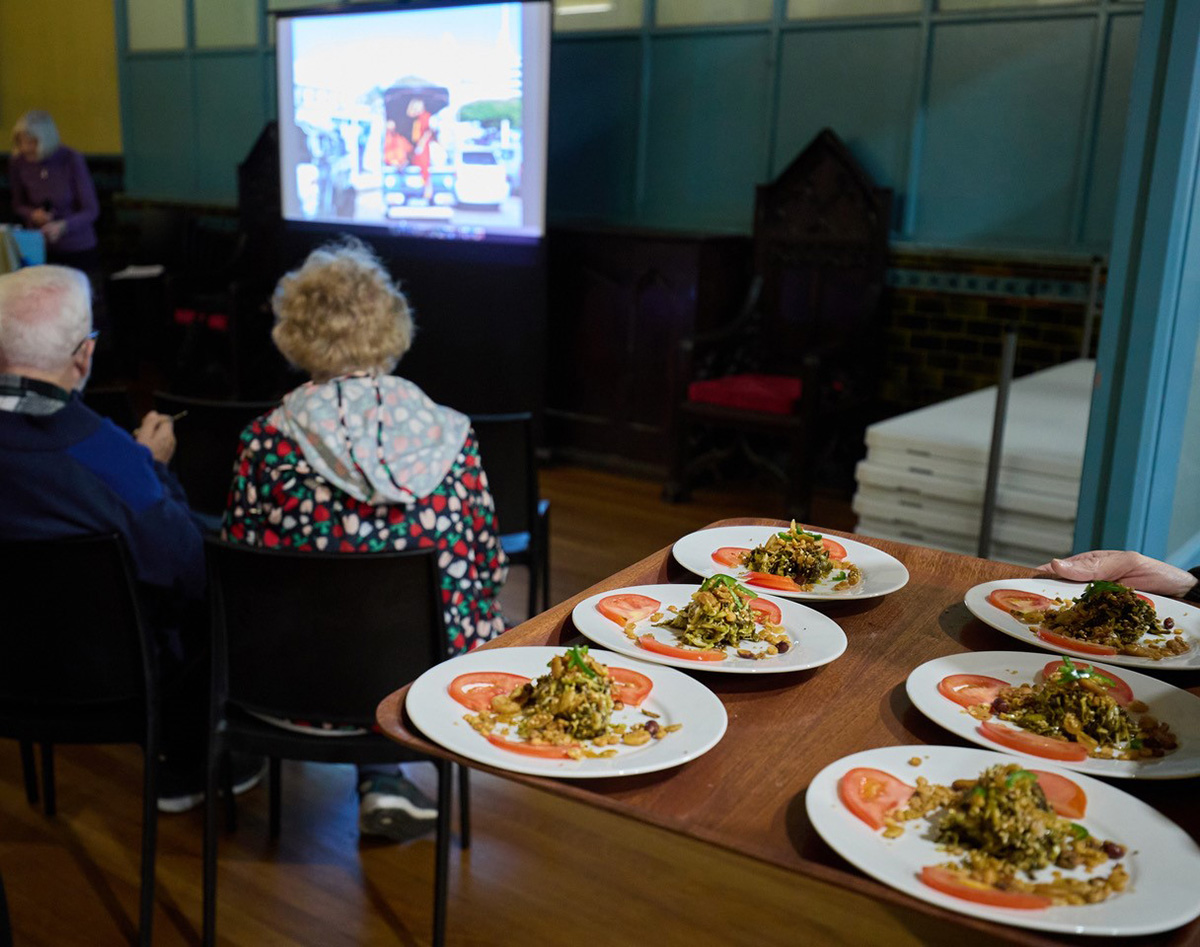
pixel 1167 703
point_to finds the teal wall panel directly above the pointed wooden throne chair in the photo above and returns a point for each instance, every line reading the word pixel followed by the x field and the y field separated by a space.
pixel 861 82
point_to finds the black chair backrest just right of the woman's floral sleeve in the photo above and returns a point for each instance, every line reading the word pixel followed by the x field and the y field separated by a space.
pixel 506 448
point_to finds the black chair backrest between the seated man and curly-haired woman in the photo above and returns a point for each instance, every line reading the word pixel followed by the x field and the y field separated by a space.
pixel 207 445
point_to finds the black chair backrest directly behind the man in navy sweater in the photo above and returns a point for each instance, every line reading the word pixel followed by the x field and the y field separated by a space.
pixel 74 632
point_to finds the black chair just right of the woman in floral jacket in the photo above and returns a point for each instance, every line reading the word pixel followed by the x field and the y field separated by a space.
pixel 506 446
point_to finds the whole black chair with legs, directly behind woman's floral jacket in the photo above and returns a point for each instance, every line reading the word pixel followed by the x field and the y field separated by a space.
pixel 320 637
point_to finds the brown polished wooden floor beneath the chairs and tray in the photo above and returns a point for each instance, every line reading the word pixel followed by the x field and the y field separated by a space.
pixel 541 871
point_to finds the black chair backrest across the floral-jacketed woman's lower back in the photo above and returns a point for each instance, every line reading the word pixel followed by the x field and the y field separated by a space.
pixel 322 637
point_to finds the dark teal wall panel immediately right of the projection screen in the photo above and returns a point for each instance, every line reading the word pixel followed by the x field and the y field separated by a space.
pixel 596 89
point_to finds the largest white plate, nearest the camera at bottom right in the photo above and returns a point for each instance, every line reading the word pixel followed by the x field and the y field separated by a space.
pixel 1163 861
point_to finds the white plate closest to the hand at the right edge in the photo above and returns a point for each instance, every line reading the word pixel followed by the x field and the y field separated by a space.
pixel 1186 618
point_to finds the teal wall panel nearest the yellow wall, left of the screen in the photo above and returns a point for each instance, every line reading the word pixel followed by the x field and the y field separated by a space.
pixel 157 128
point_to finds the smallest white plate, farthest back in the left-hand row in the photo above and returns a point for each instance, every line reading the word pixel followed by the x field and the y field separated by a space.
pixel 881 573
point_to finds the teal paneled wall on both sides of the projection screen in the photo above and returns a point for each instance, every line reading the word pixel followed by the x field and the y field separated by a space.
pixel 999 128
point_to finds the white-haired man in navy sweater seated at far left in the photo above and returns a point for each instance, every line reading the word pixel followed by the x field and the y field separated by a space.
pixel 65 471
